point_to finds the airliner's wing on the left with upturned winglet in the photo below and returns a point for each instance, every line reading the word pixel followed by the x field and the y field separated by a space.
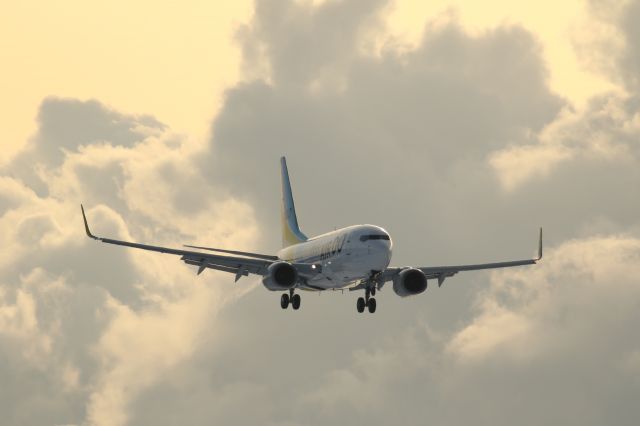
pixel 240 265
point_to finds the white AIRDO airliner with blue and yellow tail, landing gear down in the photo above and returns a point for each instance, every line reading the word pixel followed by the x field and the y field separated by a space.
pixel 354 258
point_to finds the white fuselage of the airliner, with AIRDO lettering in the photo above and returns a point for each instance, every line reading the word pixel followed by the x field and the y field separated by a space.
pixel 345 255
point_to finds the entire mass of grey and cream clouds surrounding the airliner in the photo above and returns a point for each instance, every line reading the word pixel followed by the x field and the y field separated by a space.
pixel 415 140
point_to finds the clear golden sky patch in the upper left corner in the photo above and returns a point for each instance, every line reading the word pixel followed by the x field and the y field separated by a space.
pixel 168 59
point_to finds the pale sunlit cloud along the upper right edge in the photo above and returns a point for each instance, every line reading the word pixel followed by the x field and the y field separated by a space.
pixel 606 130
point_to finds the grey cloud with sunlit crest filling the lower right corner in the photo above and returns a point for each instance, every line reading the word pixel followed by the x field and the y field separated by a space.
pixel 528 354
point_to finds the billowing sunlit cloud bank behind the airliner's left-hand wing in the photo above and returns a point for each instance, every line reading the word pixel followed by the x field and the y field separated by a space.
pixel 86 327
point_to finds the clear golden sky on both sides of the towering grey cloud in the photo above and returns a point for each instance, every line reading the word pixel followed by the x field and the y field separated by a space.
pixel 173 60
